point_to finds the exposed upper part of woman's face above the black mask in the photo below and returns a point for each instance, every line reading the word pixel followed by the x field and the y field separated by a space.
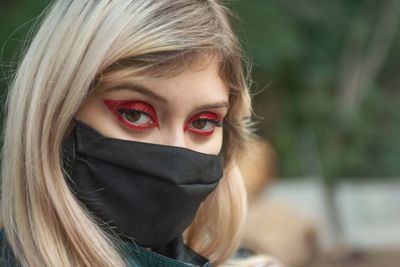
pixel 185 111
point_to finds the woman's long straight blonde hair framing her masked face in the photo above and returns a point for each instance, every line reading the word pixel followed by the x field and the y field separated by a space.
pixel 79 45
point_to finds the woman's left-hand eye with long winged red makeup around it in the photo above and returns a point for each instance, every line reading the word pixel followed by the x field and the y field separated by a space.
pixel 134 114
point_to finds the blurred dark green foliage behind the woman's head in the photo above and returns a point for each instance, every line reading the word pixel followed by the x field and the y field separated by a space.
pixel 298 49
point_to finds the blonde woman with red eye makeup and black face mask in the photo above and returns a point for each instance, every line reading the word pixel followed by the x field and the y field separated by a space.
pixel 124 121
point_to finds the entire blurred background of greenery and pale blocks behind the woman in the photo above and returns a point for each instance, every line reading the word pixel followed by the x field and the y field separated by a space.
pixel 327 105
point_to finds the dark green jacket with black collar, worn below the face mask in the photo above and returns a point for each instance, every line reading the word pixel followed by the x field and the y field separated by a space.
pixel 135 255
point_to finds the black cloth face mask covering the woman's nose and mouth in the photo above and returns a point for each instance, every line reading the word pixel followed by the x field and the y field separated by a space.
pixel 150 193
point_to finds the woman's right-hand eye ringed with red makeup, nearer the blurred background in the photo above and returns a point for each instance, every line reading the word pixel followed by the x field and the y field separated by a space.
pixel 204 123
